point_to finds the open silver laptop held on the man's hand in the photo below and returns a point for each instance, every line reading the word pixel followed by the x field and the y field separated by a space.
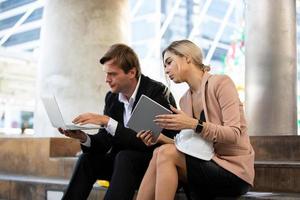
pixel 56 118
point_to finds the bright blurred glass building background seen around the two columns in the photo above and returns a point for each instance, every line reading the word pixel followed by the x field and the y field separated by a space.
pixel 218 26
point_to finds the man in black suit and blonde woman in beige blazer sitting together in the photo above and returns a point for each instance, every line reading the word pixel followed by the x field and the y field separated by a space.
pixel 211 119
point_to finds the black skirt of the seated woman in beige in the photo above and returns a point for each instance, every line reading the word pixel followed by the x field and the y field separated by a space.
pixel 207 180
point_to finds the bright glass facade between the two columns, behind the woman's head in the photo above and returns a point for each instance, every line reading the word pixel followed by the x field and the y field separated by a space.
pixel 215 25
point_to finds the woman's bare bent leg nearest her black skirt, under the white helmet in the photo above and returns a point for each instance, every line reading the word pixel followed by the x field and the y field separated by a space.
pixel 171 168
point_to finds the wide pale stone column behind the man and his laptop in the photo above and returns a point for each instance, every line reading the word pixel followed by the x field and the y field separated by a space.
pixel 75 34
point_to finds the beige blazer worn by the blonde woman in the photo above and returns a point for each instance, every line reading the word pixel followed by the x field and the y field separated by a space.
pixel 225 125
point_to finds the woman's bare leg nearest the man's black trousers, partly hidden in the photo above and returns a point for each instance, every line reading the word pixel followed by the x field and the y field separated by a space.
pixel 147 187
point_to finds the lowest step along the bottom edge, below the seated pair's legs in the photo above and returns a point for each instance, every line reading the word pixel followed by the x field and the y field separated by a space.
pixel 13 187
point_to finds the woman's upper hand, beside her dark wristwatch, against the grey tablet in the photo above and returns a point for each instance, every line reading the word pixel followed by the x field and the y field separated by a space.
pixel 177 121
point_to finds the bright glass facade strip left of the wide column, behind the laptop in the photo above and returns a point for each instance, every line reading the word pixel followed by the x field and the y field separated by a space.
pixel 20 25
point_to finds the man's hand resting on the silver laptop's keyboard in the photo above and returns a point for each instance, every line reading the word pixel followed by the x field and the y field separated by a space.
pixel 91 118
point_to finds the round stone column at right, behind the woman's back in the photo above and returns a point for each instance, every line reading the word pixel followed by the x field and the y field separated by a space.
pixel 271 104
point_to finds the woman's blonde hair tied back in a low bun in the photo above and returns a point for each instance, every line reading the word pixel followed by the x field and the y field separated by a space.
pixel 186 48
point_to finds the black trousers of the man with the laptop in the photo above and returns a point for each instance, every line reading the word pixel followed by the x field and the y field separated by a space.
pixel 125 172
